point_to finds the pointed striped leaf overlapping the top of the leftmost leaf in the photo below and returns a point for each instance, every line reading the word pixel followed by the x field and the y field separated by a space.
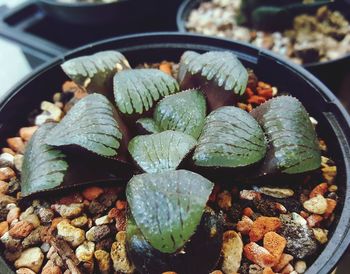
pixel 89 124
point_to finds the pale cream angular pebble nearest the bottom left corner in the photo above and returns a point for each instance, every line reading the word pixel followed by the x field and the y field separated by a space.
pixel 31 258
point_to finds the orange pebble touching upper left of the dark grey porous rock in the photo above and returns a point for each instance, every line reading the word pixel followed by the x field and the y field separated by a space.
pixel 261 226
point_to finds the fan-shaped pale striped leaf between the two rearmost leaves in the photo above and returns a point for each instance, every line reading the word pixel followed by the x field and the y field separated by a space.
pixel 136 91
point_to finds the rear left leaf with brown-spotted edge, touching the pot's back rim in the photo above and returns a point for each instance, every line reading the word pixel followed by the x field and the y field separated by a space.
pixel 95 72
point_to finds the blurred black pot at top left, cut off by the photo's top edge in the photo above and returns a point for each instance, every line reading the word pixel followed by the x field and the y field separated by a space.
pixel 92 14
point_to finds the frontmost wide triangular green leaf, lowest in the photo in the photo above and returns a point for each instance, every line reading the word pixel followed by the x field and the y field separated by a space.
pixel 168 206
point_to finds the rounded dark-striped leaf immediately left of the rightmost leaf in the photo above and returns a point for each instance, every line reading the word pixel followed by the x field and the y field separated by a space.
pixel 230 138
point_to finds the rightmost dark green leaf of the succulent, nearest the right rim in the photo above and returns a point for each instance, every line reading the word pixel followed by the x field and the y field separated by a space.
pixel 293 145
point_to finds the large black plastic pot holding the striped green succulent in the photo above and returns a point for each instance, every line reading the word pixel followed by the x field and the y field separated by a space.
pixel 334 122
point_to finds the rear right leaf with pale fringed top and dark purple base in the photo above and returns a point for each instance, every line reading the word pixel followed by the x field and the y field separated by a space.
pixel 219 74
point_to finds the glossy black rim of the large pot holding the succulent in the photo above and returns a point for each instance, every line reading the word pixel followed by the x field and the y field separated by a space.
pixel 340 239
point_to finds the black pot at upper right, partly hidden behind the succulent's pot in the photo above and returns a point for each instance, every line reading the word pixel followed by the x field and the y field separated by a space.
pixel 332 73
